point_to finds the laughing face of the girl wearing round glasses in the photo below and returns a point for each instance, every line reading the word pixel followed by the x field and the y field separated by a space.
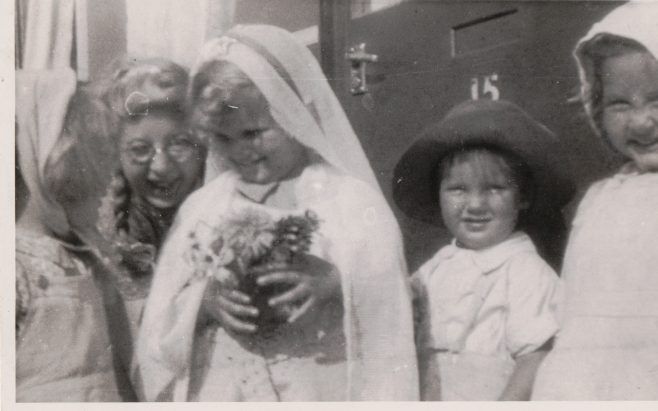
pixel 160 161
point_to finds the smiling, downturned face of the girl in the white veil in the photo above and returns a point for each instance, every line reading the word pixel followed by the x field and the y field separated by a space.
pixel 253 143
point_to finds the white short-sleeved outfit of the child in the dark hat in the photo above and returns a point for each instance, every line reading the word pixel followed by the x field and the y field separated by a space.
pixel 481 309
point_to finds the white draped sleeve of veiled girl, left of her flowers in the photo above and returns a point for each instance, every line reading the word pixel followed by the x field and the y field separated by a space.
pixel 166 335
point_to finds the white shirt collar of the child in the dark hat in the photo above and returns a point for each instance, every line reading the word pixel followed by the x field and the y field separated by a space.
pixel 493 257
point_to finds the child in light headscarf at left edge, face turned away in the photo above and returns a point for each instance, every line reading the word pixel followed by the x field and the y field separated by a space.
pixel 68 316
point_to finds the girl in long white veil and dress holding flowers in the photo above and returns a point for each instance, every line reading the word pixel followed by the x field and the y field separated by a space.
pixel 280 146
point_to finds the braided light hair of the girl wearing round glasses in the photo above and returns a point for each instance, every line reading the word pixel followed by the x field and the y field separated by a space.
pixel 137 89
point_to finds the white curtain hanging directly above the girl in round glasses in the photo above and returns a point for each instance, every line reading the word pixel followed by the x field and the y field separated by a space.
pixel 175 29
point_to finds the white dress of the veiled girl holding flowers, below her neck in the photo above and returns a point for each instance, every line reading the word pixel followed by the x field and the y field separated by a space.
pixel 364 352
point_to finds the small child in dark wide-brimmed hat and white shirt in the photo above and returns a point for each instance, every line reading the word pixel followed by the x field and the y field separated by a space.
pixel 485 302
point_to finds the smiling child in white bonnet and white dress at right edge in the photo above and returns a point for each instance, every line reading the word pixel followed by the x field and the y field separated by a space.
pixel 607 348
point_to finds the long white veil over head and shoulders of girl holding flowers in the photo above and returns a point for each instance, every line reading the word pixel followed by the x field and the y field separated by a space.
pixel 366 248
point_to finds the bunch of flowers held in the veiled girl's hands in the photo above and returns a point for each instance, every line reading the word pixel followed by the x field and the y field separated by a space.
pixel 230 250
